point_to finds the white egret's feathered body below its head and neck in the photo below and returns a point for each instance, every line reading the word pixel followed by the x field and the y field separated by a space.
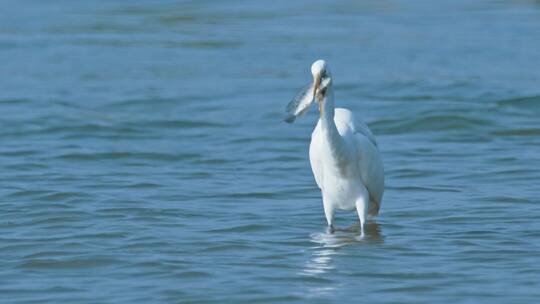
pixel 350 177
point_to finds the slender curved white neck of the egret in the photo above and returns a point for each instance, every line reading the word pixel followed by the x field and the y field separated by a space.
pixel 332 138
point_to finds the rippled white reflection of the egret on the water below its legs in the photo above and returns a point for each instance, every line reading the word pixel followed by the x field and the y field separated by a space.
pixel 329 245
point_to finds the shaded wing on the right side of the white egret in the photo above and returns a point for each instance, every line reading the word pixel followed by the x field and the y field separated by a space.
pixel 371 166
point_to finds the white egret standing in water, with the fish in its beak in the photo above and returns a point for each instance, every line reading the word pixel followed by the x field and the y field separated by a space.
pixel 343 153
